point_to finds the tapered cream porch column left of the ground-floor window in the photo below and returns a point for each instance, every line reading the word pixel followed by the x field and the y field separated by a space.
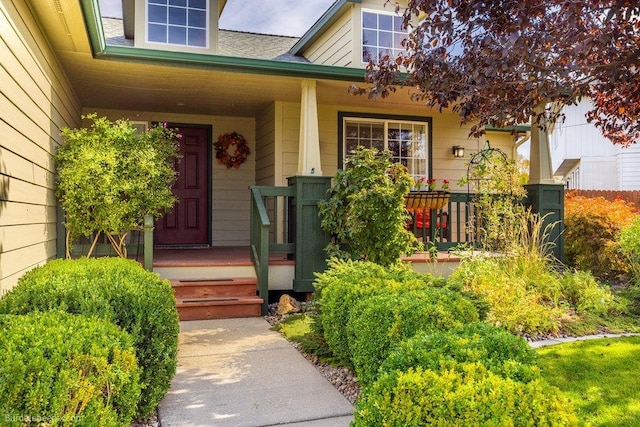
pixel 309 146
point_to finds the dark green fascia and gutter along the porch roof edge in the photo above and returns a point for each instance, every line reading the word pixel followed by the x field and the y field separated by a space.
pixel 93 22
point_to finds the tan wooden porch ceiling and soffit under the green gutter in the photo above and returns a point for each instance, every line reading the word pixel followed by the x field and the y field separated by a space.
pixel 145 85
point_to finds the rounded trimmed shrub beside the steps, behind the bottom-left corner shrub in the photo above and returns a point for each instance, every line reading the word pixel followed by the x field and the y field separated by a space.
pixel 117 290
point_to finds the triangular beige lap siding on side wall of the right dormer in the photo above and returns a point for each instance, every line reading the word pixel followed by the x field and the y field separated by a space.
pixel 336 45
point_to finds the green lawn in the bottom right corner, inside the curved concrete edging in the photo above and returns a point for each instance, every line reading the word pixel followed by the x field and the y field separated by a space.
pixel 599 376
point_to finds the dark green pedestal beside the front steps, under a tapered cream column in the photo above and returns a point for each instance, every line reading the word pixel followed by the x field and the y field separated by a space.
pixel 304 226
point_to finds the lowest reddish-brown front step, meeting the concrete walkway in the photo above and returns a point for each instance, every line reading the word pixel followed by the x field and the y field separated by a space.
pixel 218 308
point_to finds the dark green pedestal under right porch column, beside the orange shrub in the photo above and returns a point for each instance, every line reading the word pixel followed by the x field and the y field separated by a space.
pixel 548 201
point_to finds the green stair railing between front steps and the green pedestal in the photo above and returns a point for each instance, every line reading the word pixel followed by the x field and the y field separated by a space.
pixel 269 232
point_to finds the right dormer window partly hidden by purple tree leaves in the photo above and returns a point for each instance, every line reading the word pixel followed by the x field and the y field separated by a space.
pixel 382 34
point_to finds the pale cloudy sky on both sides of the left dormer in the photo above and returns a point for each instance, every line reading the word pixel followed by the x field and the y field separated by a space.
pixel 281 17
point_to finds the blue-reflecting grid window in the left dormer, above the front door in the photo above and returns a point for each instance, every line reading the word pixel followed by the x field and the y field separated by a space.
pixel 178 22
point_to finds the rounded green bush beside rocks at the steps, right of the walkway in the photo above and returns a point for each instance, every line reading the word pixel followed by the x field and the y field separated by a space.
pixel 345 283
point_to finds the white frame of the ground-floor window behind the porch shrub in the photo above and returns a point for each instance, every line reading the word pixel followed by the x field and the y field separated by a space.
pixel 412 162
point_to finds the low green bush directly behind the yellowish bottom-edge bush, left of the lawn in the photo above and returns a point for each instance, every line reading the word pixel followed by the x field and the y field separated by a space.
pixel 497 350
